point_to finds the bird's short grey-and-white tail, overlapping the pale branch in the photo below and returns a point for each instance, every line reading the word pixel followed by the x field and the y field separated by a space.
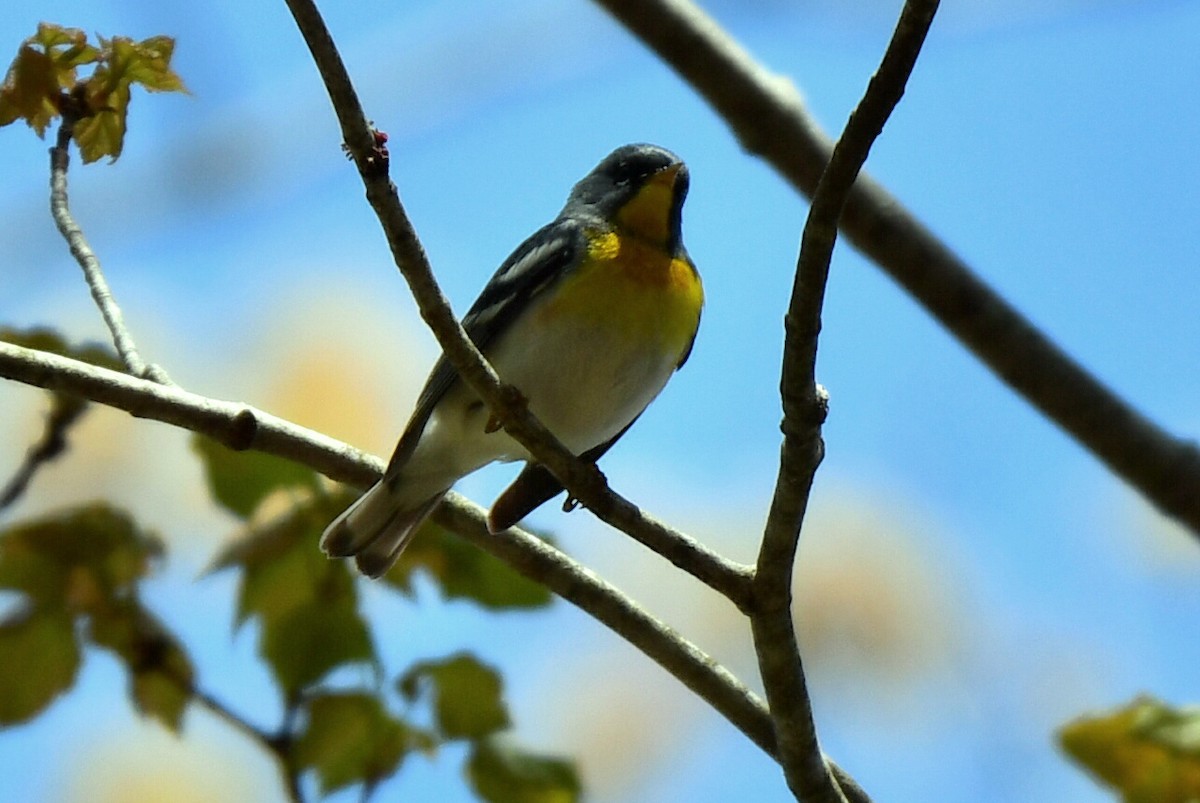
pixel 377 528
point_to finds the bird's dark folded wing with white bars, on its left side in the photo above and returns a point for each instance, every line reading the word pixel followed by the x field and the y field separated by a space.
pixel 529 271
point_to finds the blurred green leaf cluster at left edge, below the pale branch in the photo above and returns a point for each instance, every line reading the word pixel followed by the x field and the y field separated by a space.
pixel 77 578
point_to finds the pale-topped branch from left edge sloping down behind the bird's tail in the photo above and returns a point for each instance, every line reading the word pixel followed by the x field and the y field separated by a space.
pixel 245 428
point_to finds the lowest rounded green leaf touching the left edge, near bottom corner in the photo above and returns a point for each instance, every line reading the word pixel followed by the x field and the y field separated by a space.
pixel 39 661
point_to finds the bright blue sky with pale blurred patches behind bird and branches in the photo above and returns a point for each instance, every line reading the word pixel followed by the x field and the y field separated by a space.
pixel 1052 145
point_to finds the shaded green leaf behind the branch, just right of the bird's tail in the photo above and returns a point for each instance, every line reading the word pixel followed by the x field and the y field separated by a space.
pixel 465 572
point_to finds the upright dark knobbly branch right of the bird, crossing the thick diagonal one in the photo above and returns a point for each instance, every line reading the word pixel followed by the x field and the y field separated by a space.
pixel 805 411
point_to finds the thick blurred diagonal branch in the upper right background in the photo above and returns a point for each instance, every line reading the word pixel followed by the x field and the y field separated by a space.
pixel 770 119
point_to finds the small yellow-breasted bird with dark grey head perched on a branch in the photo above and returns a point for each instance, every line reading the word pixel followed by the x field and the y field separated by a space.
pixel 589 319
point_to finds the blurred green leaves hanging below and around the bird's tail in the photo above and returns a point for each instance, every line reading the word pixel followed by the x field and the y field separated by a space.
pixel 310 625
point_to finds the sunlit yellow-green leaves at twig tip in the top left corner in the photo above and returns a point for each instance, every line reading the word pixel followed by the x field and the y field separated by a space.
pixel 44 83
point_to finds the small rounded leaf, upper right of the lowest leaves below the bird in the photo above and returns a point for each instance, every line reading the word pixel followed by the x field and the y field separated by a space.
pixel 467 696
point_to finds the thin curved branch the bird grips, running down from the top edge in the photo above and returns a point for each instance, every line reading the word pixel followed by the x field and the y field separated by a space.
pixel 585 482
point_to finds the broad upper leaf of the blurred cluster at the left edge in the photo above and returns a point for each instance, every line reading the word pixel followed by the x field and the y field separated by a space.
pixel 79 559
